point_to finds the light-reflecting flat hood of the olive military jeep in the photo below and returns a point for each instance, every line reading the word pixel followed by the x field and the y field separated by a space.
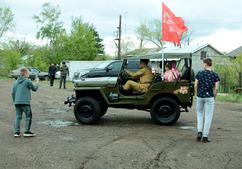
pixel 97 82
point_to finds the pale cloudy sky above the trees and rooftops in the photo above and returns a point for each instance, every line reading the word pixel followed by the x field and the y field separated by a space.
pixel 216 22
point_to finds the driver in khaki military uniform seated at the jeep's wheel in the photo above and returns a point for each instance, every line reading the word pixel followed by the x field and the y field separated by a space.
pixel 144 75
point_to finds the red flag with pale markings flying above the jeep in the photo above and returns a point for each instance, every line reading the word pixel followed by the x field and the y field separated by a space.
pixel 172 26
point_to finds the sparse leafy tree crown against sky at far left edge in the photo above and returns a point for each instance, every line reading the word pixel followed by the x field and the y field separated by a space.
pixel 6 20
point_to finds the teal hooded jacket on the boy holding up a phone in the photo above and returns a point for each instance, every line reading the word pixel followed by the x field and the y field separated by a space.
pixel 21 90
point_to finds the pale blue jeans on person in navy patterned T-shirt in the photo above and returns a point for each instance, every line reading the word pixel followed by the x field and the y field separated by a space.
pixel 208 104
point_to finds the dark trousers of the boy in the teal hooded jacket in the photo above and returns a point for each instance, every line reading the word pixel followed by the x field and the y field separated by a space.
pixel 28 120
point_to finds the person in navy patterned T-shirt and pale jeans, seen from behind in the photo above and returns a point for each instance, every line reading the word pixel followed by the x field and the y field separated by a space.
pixel 204 84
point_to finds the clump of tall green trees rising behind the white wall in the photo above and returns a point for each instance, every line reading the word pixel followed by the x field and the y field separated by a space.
pixel 83 42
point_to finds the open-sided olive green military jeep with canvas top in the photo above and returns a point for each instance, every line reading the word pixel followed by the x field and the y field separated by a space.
pixel 164 100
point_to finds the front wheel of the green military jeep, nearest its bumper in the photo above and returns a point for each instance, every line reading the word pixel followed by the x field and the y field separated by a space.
pixel 87 110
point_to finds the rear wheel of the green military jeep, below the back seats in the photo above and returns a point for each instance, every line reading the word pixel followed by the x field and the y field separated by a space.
pixel 165 111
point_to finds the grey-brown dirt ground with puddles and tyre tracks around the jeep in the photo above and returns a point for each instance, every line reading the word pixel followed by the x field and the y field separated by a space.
pixel 122 138
